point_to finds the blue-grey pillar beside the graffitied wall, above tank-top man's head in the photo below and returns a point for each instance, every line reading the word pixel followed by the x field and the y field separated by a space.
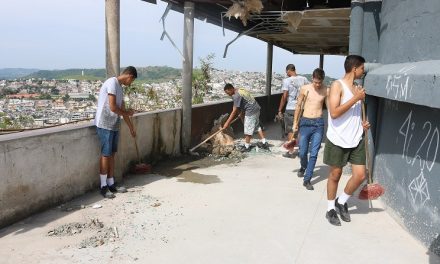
pixel 356 27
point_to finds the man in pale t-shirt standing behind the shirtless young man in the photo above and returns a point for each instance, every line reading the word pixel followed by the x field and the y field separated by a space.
pixel 291 86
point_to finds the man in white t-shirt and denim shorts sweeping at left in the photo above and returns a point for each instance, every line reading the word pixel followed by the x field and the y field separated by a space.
pixel 107 121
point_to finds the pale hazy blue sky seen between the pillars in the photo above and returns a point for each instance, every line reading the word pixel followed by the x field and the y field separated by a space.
pixel 54 34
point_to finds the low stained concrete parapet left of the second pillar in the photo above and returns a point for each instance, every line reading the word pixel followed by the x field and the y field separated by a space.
pixel 42 168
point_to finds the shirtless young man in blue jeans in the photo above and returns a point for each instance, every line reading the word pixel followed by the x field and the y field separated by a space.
pixel 311 124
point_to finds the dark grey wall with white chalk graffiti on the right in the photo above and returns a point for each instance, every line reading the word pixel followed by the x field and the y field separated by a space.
pixel 402 37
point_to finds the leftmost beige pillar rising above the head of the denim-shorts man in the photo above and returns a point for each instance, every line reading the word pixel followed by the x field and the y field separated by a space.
pixel 112 39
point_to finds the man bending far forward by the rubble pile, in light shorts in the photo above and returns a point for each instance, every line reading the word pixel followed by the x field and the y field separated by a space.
pixel 245 104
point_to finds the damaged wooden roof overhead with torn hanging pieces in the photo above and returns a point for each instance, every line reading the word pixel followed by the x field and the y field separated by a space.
pixel 299 26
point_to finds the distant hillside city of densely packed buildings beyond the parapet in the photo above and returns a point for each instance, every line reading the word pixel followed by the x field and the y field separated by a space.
pixel 28 103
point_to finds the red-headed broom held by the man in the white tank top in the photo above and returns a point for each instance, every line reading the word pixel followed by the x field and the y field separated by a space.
pixel 370 191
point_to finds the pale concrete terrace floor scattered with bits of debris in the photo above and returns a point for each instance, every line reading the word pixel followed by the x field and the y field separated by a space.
pixel 255 211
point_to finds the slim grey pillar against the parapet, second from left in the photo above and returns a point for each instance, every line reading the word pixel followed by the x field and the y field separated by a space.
pixel 187 67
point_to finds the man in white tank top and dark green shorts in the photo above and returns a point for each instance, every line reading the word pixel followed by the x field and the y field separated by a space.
pixel 344 138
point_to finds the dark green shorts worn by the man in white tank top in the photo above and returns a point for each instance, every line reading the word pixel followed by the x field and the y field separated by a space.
pixel 338 157
